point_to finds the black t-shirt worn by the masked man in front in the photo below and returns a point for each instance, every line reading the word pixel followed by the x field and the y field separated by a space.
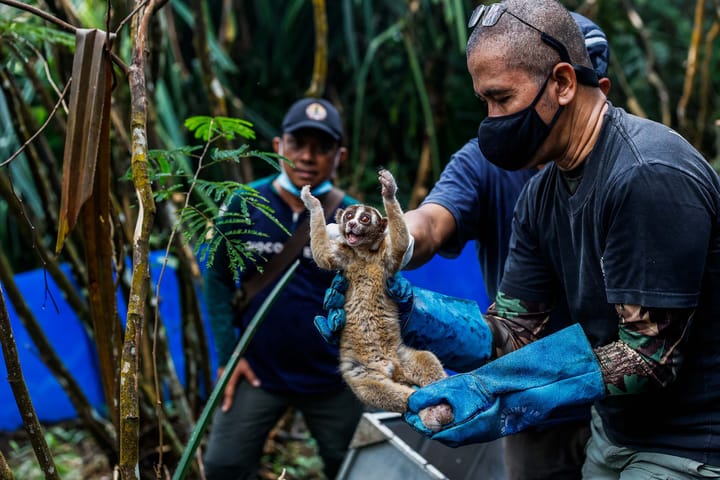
pixel 643 228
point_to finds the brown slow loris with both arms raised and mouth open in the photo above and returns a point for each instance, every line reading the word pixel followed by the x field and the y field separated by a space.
pixel 374 362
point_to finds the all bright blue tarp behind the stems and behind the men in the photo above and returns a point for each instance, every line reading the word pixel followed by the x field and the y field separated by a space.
pixel 459 277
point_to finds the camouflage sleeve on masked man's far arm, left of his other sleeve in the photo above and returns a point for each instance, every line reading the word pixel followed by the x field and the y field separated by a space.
pixel 515 323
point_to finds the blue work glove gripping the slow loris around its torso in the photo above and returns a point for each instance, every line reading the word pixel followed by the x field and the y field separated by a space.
pixel 452 328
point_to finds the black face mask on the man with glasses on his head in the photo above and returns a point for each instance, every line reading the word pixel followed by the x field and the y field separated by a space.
pixel 510 141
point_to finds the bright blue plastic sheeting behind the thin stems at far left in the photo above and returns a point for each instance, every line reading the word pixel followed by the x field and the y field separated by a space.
pixel 74 346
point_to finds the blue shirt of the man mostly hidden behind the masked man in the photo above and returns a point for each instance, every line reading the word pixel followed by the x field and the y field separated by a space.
pixel 481 197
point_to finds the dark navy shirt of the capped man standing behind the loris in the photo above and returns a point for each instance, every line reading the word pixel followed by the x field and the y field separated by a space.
pixel 287 353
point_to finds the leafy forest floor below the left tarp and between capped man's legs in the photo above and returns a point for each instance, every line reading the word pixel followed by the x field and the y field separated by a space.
pixel 290 453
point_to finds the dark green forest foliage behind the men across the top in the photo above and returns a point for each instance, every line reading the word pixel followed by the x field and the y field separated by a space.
pixel 387 62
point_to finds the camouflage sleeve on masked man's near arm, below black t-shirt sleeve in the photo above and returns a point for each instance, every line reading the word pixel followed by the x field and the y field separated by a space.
pixel 648 351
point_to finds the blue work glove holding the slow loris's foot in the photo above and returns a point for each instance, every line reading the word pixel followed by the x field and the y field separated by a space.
pixel 516 391
